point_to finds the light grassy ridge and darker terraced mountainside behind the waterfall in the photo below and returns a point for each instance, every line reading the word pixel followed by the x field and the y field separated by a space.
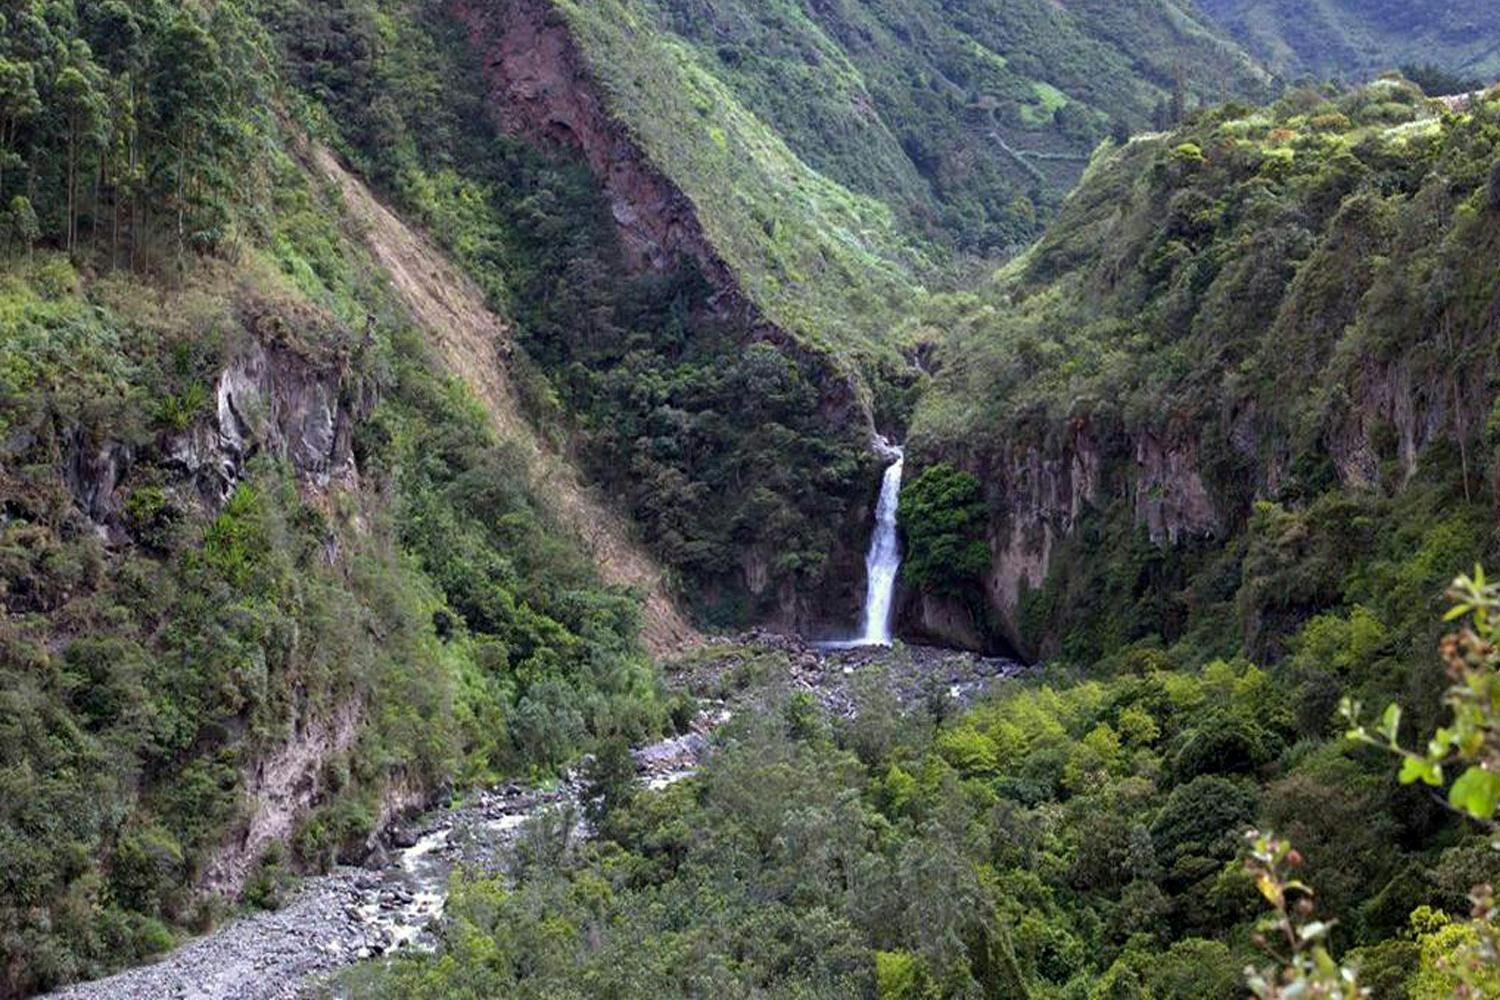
pixel 829 145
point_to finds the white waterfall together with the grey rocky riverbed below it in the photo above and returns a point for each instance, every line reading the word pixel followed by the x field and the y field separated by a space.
pixel 394 902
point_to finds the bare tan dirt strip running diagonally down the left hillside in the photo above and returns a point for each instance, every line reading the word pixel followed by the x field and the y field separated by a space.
pixel 473 343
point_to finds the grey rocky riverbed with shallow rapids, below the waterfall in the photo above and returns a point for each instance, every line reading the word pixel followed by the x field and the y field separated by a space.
pixel 391 903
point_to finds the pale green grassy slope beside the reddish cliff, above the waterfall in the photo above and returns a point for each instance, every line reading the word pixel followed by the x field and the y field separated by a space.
pixel 820 260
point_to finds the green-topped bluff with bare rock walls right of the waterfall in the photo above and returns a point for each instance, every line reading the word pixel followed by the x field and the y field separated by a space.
pixel 1249 320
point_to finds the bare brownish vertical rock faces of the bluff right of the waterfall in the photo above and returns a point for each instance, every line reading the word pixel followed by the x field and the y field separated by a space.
pixel 1039 493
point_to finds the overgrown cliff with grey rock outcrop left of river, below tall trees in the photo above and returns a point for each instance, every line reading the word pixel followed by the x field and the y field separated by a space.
pixel 272 572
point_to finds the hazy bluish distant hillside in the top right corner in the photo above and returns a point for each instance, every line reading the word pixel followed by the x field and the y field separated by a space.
pixel 1363 38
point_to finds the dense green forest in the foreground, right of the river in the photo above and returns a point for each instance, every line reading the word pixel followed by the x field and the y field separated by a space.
pixel 1069 839
